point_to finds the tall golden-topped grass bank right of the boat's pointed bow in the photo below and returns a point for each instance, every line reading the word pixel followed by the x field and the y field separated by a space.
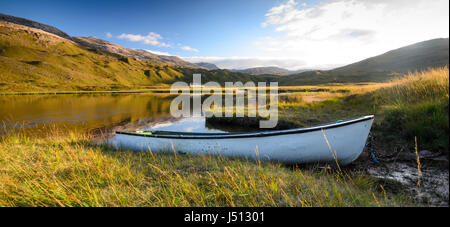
pixel 417 105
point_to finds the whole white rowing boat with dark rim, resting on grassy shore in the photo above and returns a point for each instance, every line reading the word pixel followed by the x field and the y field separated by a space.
pixel 342 141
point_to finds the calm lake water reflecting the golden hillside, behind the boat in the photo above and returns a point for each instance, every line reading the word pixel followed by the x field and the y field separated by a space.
pixel 96 111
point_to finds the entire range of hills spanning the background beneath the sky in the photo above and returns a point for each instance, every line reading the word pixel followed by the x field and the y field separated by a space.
pixel 39 57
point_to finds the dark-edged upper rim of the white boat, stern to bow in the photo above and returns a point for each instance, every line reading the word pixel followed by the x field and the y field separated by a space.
pixel 177 135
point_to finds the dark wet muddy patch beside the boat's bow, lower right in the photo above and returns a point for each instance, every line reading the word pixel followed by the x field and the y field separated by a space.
pixel 399 173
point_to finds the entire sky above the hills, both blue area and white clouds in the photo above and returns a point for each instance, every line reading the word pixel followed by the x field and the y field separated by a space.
pixel 248 33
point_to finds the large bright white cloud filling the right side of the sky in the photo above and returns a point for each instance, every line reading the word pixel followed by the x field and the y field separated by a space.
pixel 345 31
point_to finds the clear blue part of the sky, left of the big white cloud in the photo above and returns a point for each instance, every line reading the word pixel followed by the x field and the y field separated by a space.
pixel 211 26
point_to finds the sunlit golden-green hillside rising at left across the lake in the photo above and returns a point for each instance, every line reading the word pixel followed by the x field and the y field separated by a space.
pixel 34 60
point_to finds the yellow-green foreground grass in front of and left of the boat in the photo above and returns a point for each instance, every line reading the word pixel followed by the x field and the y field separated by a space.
pixel 67 170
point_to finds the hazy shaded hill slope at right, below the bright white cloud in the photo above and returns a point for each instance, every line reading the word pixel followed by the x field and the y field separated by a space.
pixel 416 57
